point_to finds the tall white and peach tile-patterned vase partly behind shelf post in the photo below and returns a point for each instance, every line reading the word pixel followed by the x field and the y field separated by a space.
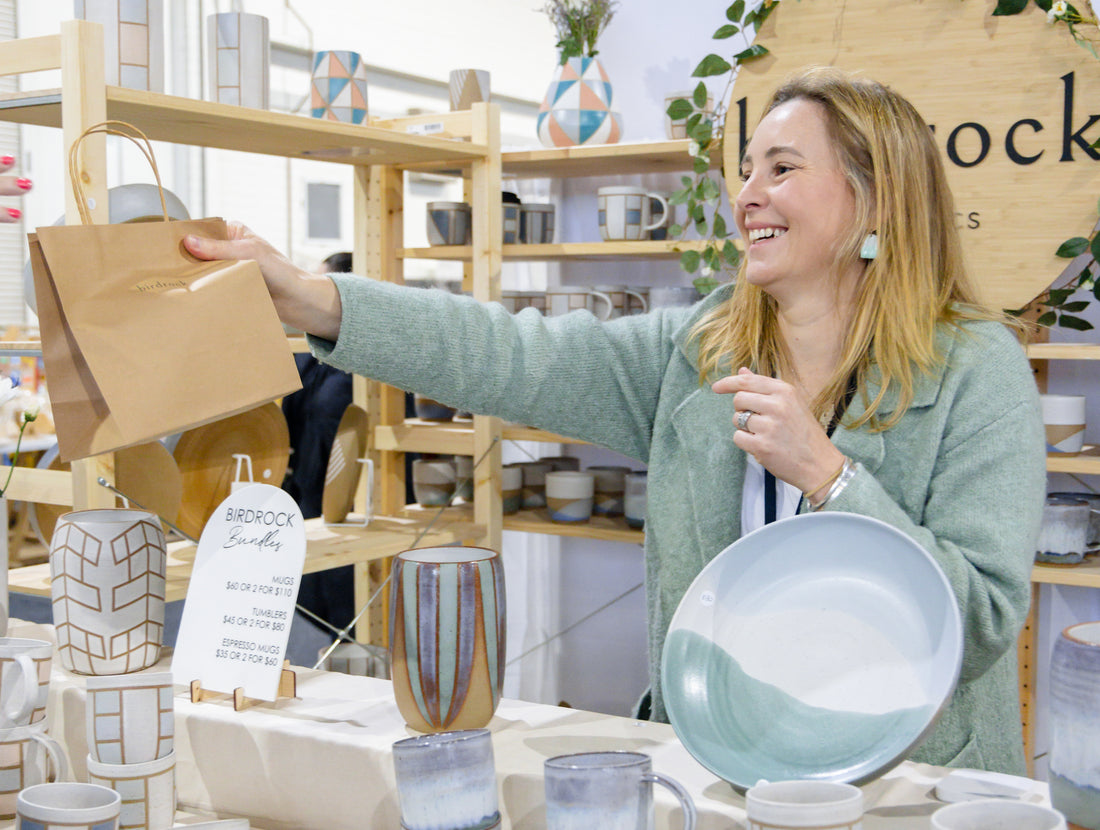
pixel 134 41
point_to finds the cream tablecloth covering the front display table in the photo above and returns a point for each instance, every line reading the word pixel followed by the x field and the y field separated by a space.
pixel 324 758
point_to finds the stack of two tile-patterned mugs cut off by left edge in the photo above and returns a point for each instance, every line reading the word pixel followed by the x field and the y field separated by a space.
pixel 28 757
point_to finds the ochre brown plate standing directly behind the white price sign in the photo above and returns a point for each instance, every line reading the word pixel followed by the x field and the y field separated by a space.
pixel 206 462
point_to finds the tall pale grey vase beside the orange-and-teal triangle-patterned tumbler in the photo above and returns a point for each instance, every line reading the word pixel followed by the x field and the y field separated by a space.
pixel 239 60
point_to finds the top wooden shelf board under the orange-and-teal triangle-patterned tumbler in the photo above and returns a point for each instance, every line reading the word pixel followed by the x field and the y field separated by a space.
pixel 206 124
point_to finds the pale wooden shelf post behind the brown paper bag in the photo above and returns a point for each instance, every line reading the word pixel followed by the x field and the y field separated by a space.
pixel 84 104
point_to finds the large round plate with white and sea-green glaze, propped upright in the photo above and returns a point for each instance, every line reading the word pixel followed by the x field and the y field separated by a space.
pixel 822 647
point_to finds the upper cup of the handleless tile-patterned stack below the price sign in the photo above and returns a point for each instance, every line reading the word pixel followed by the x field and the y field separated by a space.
pixel 130 717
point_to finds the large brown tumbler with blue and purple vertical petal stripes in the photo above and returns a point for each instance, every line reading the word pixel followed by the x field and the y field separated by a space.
pixel 447 637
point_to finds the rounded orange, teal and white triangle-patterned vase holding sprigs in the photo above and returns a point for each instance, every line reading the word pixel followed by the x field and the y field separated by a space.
pixel 577 108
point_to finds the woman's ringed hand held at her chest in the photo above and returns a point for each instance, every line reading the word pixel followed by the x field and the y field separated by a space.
pixel 782 433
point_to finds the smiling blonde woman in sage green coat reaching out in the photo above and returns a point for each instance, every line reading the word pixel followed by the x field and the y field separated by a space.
pixel 851 380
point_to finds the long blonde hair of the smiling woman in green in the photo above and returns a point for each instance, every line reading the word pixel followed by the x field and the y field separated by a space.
pixel 918 281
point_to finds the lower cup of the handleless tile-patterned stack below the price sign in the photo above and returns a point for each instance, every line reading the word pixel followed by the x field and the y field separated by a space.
pixel 148 791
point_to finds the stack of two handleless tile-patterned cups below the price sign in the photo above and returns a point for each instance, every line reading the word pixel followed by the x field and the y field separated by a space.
pixel 131 732
